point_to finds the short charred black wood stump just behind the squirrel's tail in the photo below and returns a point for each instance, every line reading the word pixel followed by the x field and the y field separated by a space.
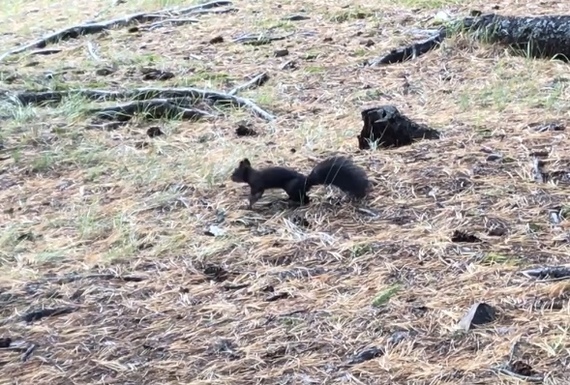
pixel 387 127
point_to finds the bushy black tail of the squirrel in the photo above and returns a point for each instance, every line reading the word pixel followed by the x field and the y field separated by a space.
pixel 342 173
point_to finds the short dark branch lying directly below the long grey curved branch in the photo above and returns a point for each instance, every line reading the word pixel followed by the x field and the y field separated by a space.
pixel 148 109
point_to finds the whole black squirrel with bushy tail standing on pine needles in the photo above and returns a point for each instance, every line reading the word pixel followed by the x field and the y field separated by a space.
pixel 337 170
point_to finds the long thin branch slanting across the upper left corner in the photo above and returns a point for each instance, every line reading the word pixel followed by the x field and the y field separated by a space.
pixel 121 22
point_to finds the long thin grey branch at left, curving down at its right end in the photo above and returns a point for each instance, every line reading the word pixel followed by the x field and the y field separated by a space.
pixel 195 94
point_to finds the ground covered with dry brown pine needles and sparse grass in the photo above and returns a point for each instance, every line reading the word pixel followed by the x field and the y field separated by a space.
pixel 283 296
